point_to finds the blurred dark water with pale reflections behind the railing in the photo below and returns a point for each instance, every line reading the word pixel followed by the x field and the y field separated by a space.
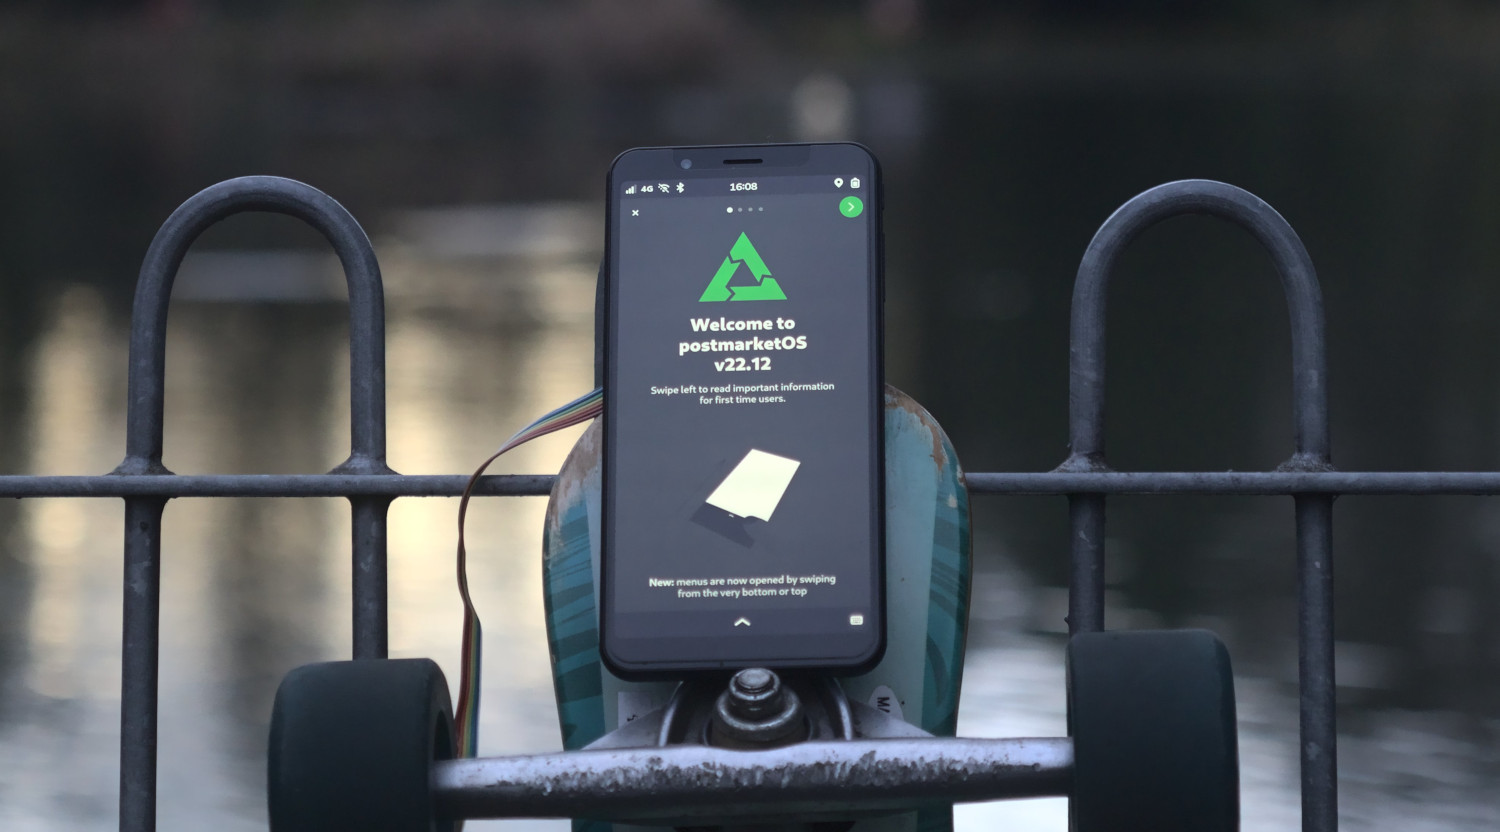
pixel 472 140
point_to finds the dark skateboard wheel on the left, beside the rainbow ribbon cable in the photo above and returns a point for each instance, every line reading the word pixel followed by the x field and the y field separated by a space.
pixel 353 743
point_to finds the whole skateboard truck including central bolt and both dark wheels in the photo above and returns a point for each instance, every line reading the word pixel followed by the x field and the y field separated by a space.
pixel 1151 717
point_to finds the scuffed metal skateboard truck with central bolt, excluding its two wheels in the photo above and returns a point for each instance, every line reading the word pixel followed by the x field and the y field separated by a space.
pixel 763 752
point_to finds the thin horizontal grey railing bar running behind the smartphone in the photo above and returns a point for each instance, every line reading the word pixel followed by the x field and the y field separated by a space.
pixel 1246 483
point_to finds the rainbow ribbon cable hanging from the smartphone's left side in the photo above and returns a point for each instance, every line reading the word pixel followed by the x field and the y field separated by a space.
pixel 466 719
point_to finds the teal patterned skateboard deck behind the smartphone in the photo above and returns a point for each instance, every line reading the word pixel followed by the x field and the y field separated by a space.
pixel 928 597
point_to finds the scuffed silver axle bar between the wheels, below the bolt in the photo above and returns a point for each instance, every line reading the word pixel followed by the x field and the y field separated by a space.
pixel 682 783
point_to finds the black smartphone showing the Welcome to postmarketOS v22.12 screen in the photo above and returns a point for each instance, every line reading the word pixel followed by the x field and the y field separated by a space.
pixel 743 461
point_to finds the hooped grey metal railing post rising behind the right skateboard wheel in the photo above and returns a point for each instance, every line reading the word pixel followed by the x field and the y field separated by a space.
pixel 1315 512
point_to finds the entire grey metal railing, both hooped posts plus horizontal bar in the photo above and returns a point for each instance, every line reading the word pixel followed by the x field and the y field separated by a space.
pixel 370 485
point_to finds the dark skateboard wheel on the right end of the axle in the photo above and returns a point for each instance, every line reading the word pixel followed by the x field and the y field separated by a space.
pixel 1153 725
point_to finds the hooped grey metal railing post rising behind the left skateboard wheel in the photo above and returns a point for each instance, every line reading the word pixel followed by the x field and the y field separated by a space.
pixel 145 412
